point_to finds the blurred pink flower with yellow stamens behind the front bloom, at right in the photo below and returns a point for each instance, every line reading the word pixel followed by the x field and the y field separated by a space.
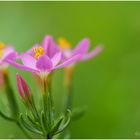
pixel 81 48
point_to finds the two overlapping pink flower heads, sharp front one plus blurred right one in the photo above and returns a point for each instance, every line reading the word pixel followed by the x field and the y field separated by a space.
pixel 48 56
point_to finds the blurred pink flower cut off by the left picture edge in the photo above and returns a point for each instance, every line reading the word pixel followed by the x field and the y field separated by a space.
pixel 6 52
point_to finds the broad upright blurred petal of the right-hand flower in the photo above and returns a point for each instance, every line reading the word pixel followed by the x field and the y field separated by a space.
pixel 82 47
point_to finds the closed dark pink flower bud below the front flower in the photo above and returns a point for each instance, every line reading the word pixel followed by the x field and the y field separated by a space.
pixel 23 88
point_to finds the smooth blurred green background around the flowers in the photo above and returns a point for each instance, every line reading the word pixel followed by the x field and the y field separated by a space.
pixel 108 85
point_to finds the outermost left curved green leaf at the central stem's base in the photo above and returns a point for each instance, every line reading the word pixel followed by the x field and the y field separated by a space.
pixel 27 126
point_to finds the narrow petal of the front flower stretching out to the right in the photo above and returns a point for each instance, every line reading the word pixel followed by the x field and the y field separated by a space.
pixel 69 61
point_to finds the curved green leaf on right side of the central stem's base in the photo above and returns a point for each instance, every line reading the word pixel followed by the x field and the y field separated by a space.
pixel 66 123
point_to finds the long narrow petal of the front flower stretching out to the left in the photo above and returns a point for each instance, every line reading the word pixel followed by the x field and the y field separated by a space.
pixel 21 67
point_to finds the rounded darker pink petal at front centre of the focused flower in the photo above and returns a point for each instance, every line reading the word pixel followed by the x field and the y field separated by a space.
pixel 44 63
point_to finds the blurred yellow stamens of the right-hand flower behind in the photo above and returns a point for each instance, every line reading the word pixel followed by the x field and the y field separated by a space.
pixel 64 44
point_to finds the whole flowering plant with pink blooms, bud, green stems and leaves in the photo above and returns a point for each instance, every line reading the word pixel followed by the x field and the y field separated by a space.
pixel 43 59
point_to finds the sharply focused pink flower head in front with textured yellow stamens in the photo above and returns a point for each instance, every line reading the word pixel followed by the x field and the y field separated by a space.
pixel 43 58
